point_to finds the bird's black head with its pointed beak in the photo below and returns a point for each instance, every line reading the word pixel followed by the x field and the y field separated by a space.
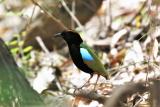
pixel 70 37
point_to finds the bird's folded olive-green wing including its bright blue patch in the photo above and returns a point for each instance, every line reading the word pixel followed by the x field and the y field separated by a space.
pixel 92 60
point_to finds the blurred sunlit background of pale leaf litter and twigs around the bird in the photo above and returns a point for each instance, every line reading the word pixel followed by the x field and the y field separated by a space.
pixel 125 34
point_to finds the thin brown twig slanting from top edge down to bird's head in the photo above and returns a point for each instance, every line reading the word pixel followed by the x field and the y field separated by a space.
pixel 50 15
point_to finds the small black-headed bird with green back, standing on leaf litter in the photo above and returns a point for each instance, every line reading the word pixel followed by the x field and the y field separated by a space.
pixel 83 56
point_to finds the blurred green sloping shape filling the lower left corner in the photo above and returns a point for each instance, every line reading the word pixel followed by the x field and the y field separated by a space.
pixel 15 90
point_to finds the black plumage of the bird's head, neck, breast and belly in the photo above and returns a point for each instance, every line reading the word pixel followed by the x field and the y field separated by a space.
pixel 74 40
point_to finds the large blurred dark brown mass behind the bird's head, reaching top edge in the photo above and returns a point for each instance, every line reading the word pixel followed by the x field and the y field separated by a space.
pixel 84 10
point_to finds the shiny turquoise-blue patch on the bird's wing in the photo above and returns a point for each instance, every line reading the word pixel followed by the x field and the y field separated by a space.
pixel 86 56
